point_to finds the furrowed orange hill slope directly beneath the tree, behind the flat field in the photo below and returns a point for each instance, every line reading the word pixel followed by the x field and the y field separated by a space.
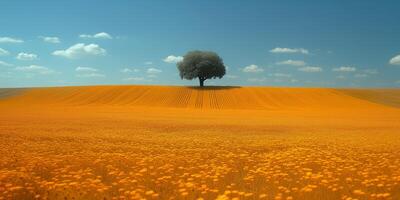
pixel 253 98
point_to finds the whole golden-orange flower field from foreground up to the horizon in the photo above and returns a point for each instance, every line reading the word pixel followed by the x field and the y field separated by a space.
pixel 156 142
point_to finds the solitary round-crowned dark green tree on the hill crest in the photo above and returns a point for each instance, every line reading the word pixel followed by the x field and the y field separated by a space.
pixel 202 65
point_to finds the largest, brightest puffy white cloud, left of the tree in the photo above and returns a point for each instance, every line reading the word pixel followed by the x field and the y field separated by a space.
pixel 79 50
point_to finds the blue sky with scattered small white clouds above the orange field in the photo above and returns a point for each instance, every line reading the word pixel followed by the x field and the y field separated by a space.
pixel 272 43
